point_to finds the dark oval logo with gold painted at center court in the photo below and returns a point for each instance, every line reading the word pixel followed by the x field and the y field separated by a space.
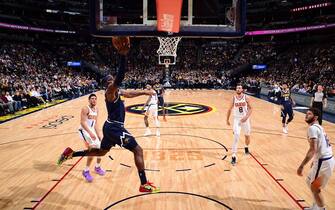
pixel 173 109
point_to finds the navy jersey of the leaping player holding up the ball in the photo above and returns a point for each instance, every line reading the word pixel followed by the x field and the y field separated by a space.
pixel 116 110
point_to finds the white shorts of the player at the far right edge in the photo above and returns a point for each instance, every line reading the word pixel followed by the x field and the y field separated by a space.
pixel 321 168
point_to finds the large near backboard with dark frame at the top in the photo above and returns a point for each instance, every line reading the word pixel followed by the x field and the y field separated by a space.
pixel 199 18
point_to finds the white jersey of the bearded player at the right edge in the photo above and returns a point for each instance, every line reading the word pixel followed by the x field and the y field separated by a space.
pixel 323 148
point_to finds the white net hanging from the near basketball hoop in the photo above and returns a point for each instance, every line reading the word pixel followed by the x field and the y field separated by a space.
pixel 168 46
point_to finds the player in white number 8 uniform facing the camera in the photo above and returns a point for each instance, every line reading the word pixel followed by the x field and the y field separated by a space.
pixel 242 111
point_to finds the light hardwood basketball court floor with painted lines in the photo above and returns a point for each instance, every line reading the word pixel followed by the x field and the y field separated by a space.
pixel 190 161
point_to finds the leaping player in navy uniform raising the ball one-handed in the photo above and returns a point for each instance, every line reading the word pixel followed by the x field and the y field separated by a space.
pixel 113 129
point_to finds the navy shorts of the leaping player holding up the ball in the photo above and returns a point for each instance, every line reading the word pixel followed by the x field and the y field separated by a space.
pixel 114 134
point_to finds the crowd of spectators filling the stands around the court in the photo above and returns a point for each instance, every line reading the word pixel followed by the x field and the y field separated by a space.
pixel 33 74
